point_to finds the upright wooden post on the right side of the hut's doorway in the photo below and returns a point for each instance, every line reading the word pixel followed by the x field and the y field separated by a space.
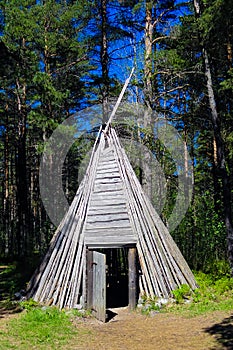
pixel 132 278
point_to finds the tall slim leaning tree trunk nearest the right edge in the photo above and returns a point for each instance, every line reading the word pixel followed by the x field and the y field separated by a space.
pixel 219 148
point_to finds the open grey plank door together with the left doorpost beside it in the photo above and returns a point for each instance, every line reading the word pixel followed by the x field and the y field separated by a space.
pixel 96 293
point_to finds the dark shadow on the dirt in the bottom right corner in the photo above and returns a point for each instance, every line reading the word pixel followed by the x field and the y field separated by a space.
pixel 223 333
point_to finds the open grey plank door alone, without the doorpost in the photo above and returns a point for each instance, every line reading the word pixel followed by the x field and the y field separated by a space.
pixel 99 285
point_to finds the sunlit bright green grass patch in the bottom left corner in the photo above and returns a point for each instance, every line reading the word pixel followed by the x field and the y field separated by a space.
pixel 39 328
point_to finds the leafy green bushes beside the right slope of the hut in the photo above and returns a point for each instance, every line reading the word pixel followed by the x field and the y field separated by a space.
pixel 203 227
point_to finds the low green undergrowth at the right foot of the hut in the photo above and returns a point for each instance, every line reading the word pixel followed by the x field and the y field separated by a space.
pixel 215 292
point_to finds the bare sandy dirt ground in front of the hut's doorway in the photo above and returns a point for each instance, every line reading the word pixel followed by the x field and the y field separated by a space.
pixel 134 331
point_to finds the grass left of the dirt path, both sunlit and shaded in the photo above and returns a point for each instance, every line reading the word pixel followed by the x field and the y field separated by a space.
pixel 35 327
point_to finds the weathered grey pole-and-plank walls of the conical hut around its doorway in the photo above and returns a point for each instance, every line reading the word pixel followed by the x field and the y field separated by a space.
pixel 110 210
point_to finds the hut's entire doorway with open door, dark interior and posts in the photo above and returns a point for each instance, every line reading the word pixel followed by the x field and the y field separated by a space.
pixel 112 279
